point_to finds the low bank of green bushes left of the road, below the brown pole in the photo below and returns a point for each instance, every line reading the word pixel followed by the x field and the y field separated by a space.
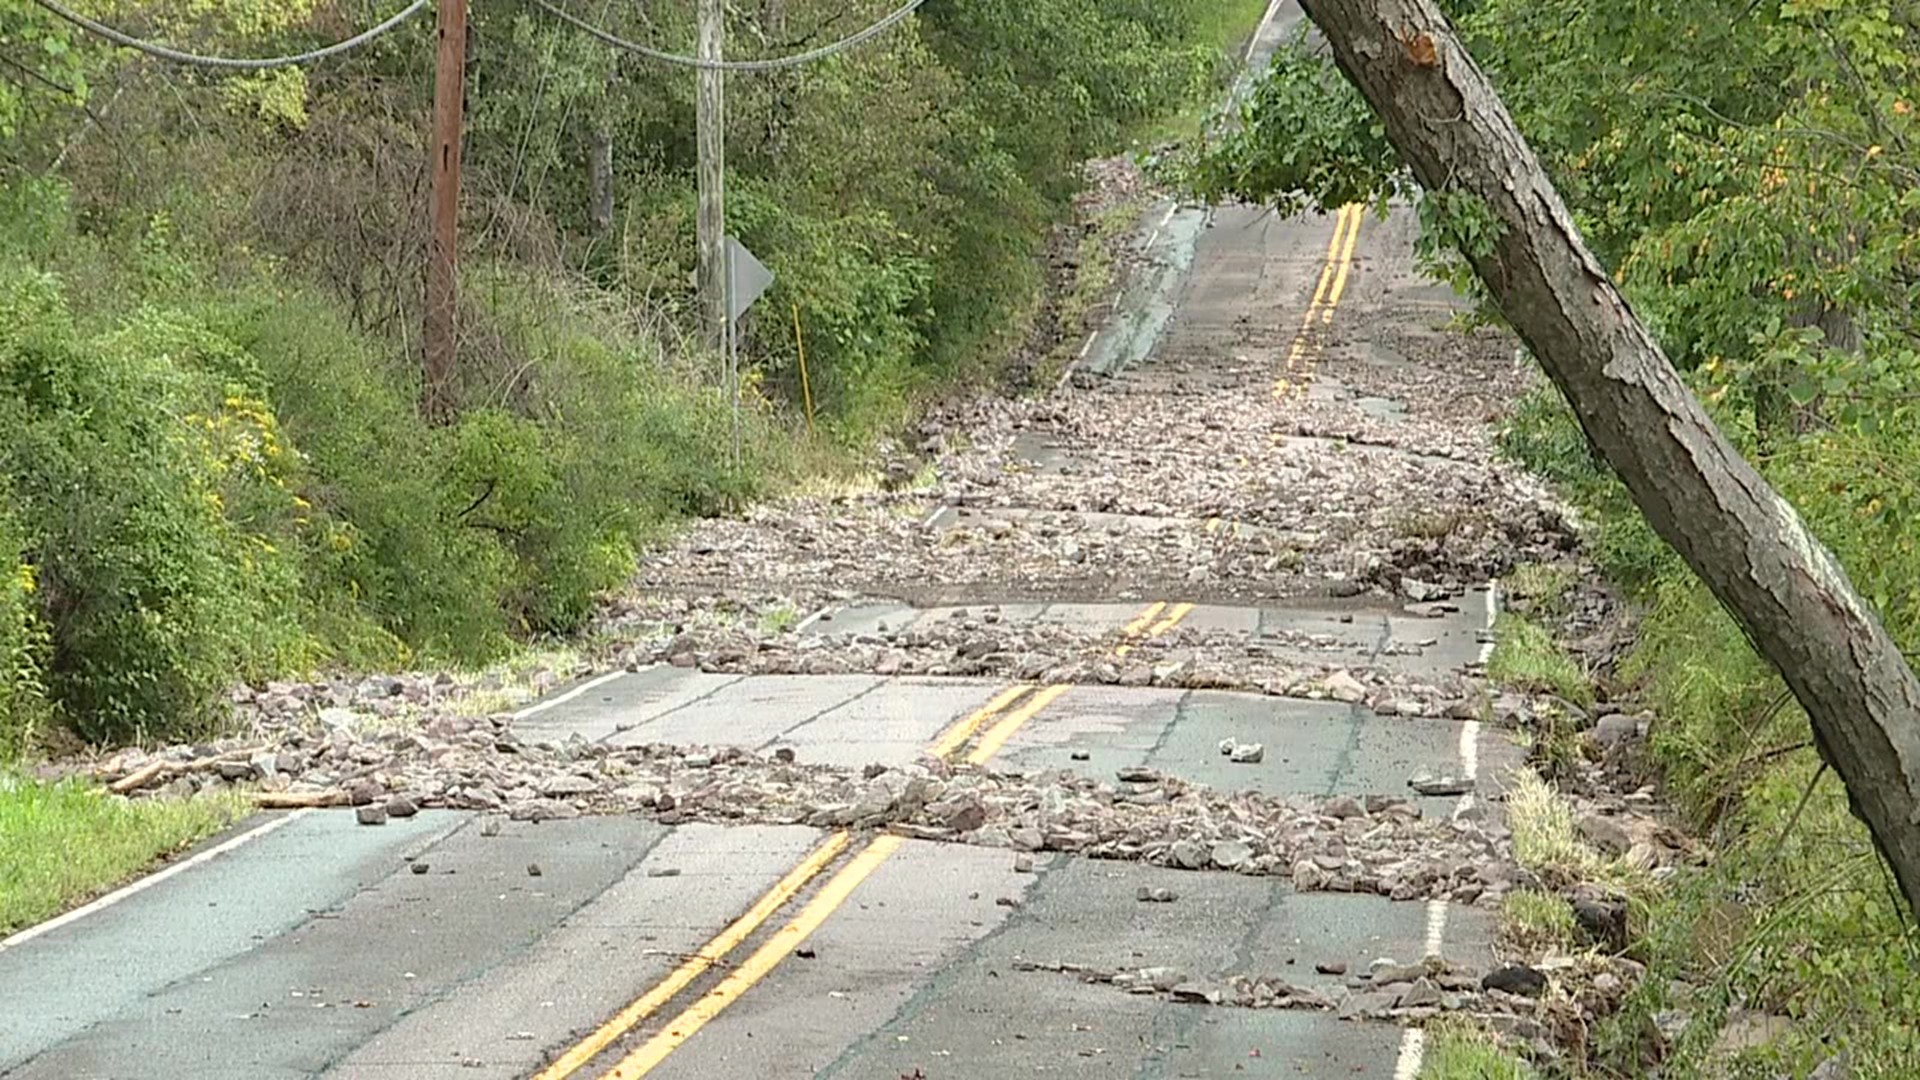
pixel 243 485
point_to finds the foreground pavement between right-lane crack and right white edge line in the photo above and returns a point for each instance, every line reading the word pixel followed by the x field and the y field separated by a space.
pixel 984 1016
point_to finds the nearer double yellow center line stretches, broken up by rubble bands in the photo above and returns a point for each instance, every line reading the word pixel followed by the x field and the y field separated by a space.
pixel 999 718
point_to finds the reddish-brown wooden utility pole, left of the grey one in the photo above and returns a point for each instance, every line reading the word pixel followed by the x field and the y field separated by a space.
pixel 443 245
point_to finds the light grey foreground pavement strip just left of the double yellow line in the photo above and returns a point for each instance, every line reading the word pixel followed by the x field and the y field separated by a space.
pixel 594 964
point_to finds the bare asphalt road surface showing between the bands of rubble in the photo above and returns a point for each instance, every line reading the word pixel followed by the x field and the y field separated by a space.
pixel 456 948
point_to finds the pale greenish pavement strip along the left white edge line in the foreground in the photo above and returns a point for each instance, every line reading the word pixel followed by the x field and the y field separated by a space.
pixel 110 962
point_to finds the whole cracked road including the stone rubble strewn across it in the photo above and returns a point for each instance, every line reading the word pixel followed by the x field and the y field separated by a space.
pixel 1095 758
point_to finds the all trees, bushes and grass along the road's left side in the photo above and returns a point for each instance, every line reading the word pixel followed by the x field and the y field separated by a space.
pixel 214 456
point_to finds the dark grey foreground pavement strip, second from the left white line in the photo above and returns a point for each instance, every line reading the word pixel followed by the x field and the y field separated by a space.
pixel 302 1000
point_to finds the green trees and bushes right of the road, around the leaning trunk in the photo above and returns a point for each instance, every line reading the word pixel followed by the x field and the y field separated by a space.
pixel 1748 174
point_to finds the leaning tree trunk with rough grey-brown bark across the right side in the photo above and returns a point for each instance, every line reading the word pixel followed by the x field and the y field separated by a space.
pixel 1698 493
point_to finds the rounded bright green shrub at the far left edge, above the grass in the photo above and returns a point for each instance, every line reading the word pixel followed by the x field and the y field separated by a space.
pixel 151 597
